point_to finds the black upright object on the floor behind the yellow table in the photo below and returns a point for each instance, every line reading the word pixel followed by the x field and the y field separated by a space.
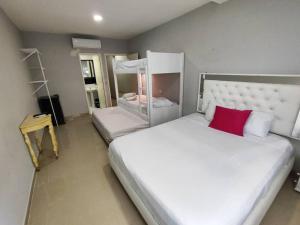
pixel 45 108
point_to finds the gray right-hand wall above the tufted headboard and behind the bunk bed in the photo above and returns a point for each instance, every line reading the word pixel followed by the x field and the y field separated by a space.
pixel 242 36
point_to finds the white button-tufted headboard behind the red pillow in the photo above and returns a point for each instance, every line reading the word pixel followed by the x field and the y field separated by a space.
pixel 283 100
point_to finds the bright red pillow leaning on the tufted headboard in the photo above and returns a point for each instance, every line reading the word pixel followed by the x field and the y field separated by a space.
pixel 230 120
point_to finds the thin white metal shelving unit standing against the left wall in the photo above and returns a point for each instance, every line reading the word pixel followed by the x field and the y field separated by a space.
pixel 31 52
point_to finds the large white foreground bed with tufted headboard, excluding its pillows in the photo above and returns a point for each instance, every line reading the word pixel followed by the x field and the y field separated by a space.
pixel 185 173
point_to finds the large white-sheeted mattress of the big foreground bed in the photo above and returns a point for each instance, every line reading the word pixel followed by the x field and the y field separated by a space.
pixel 187 173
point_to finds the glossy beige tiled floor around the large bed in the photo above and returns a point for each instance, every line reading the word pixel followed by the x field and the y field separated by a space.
pixel 80 188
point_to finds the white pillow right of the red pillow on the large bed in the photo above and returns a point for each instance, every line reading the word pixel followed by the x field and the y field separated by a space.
pixel 259 124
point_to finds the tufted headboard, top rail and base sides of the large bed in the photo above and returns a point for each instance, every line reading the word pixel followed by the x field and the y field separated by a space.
pixel 284 124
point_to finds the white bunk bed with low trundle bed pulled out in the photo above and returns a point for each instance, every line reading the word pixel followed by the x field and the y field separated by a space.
pixel 156 99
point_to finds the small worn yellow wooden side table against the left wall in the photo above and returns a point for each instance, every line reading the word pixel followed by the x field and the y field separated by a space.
pixel 32 124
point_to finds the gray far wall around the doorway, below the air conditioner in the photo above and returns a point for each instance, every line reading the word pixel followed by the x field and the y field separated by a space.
pixel 63 69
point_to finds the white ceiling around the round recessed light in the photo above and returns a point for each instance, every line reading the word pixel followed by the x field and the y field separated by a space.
pixel 122 18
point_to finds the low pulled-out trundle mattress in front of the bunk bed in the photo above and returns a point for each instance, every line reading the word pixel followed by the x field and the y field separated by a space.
pixel 114 122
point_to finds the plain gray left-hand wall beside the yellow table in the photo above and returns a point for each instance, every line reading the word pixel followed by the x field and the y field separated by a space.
pixel 16 170
